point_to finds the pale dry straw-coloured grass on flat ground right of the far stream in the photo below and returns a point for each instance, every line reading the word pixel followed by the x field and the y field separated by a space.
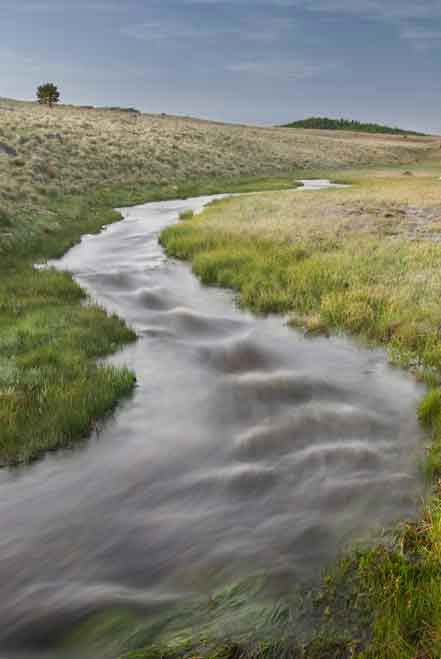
pixel 373 207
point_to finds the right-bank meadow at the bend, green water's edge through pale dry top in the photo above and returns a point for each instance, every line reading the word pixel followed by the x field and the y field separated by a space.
pixel 361 262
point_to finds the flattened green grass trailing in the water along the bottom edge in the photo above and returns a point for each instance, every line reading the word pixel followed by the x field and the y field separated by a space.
pixel 238 621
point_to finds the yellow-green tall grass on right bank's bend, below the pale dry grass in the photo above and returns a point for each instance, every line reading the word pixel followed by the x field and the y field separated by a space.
pixel 355 286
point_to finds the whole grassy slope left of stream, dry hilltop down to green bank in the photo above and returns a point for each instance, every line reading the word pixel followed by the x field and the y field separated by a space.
pixel 61 173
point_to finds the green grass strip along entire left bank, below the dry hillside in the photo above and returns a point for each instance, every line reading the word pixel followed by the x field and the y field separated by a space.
pixel 52 390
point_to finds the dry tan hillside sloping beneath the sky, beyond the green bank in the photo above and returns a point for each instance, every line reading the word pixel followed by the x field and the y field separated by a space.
pixel 47 153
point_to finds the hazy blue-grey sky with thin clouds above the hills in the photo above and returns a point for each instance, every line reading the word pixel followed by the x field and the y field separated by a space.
pixel 251 61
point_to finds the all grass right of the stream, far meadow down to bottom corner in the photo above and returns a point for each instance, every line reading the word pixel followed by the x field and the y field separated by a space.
pixel 364 260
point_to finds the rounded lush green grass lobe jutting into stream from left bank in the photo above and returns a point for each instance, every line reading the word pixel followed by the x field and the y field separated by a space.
pixel 52 392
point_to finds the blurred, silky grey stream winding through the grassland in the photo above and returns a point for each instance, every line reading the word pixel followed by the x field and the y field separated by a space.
pixel 245 448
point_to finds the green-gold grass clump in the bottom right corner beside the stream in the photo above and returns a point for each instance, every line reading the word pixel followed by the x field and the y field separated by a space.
pixel 403 588
